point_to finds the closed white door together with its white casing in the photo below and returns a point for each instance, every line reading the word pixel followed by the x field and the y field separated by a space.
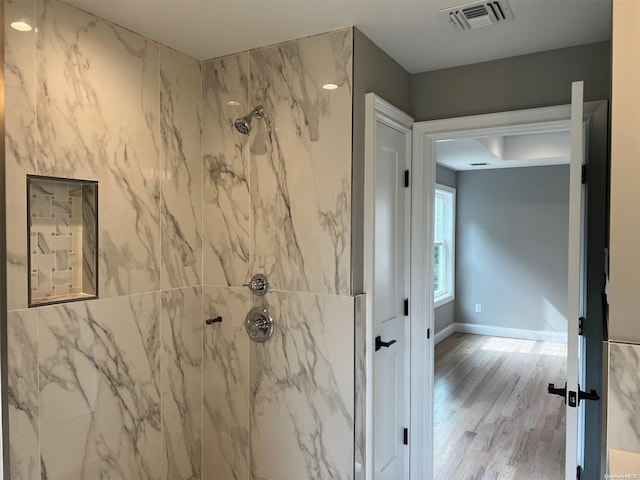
pixel 387 215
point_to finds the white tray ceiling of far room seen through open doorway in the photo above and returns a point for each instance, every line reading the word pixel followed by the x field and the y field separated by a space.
pixel 530 150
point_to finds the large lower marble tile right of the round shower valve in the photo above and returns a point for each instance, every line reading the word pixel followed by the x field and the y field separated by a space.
pixel 302 390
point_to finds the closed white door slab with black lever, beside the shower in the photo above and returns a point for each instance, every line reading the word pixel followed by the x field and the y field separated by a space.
pixel 390 284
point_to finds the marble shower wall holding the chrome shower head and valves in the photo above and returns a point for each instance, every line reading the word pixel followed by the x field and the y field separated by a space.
pixel 278 201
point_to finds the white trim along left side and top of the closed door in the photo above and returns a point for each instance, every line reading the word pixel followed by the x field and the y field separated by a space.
pixel 376 110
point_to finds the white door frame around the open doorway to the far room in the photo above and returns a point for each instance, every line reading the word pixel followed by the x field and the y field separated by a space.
pixel 426 134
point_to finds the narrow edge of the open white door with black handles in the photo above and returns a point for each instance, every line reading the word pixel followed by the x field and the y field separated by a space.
pixel 575 298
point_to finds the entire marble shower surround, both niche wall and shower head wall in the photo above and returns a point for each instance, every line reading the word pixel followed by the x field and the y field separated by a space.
pixel 133 385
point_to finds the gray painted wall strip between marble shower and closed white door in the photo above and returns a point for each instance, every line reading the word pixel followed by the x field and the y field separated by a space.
pixel 373 71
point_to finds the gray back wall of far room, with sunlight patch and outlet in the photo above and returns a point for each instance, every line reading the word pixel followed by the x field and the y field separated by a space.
pixel 511 244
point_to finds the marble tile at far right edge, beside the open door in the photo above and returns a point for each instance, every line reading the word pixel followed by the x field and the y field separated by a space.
pixel 623 421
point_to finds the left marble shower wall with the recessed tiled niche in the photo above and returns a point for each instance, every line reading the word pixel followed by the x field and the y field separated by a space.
pixel 108 388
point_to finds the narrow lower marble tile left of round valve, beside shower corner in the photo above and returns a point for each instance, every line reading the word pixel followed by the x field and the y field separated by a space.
pixel 226 385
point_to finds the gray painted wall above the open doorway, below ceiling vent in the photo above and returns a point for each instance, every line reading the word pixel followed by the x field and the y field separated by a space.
pixel 526 81
